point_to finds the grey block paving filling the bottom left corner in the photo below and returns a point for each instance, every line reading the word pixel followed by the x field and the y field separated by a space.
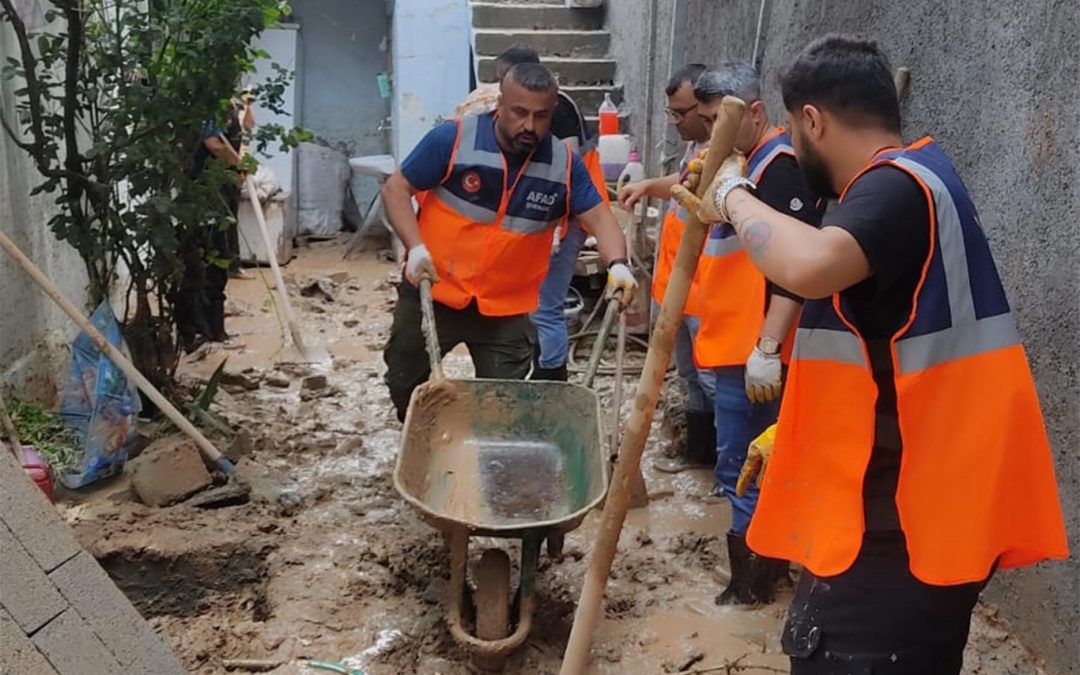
pixel 60 613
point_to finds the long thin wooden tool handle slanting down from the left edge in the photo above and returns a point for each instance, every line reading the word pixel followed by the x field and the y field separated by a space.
pixel 118 358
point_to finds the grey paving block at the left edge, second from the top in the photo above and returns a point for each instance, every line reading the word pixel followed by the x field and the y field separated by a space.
pixel 25 591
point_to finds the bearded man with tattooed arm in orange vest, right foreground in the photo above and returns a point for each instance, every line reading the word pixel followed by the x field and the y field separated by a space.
pixel 910 413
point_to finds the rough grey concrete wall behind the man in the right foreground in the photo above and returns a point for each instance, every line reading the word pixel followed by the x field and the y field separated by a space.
pixel 996 85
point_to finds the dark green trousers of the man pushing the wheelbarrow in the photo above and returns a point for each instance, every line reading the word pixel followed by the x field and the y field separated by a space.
pixel 502 347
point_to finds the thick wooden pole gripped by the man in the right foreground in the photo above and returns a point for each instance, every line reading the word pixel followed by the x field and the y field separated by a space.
pixel 645 403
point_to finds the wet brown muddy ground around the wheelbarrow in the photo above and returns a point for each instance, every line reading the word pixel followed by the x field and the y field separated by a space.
pixel 342 570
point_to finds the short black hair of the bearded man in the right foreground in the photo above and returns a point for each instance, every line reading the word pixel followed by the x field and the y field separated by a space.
pixel 849 77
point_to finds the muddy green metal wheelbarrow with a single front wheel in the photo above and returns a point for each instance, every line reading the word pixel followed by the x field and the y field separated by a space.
pixel 499 458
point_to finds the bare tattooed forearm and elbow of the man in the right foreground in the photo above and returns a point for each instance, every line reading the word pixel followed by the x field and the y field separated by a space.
pixel 808 262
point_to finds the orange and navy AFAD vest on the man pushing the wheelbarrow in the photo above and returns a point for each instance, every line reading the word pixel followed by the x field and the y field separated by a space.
pixel 492 241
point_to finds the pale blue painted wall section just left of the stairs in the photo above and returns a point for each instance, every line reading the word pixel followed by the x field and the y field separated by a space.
pixel 431 66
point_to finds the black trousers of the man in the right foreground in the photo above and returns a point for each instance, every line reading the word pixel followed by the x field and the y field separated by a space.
pixel 877 619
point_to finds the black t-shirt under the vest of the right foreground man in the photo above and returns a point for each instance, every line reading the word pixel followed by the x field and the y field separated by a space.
pixel 887 213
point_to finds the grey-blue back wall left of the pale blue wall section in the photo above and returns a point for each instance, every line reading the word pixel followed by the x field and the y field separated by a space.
pixel 345 45
